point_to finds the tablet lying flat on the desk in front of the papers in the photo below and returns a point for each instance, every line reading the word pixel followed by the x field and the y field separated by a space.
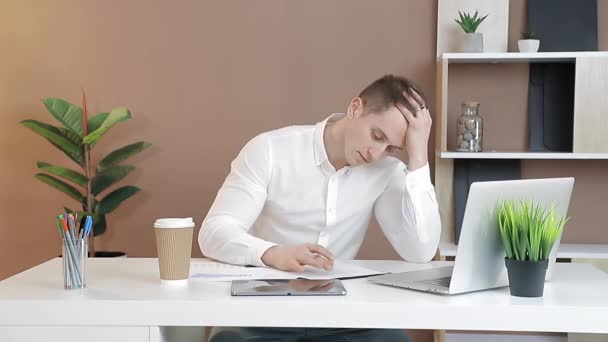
pixel 288 287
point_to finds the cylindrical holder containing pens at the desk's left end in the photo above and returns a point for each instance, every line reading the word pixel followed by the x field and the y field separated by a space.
pixel 75 253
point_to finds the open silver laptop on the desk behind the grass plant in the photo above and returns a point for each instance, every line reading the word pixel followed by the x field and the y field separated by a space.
pixel 480 255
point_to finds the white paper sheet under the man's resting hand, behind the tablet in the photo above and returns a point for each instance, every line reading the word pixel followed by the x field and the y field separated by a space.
pixel 214 271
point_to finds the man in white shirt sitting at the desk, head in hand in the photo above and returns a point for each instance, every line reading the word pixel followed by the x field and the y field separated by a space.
pixel 304 195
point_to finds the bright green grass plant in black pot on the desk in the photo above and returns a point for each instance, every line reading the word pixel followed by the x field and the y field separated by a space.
pixel 528 233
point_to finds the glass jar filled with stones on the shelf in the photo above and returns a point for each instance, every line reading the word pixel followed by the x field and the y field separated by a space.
pixel 470 128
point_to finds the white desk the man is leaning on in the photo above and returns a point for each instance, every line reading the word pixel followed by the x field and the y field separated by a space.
pixel 125 301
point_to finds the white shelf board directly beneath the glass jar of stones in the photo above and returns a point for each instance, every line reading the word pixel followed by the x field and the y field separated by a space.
pixel 522 155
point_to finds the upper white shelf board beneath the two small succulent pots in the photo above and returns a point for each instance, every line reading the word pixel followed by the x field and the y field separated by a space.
pixel 519 57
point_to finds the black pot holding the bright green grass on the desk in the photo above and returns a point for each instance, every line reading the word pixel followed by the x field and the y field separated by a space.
pixel 526 278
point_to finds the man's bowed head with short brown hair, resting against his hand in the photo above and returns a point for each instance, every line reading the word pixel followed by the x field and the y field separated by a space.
pixel 376 128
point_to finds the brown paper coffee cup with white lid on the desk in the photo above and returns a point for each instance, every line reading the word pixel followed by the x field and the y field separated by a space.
pixel 174 248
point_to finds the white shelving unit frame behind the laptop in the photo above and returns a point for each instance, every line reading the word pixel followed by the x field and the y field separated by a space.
pixel 590 141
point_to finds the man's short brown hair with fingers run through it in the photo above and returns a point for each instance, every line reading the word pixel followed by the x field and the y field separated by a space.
pixel 387 91
